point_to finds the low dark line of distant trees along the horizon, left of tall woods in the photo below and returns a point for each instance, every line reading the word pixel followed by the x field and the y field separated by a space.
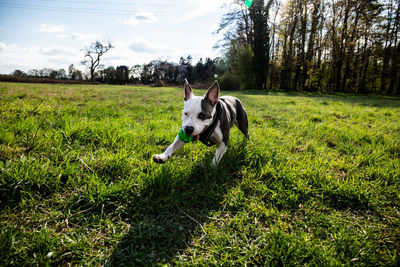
pixel 156 72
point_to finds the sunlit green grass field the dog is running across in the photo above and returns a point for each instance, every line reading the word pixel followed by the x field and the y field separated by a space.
pixel 317 184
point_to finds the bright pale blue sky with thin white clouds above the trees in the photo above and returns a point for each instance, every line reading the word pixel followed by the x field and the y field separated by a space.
pixel 52 33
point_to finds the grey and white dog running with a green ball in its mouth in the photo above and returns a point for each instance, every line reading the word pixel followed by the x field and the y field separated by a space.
pixel 208 119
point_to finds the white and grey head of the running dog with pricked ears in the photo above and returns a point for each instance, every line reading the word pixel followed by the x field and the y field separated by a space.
pixel 198 112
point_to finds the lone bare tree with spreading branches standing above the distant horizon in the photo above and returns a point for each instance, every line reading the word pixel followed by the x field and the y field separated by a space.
pixel 93 55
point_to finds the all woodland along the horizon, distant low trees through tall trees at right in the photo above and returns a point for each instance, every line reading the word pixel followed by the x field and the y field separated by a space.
pixel 302 45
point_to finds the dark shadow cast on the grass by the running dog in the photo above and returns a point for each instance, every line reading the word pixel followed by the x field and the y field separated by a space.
pixel 168 214
